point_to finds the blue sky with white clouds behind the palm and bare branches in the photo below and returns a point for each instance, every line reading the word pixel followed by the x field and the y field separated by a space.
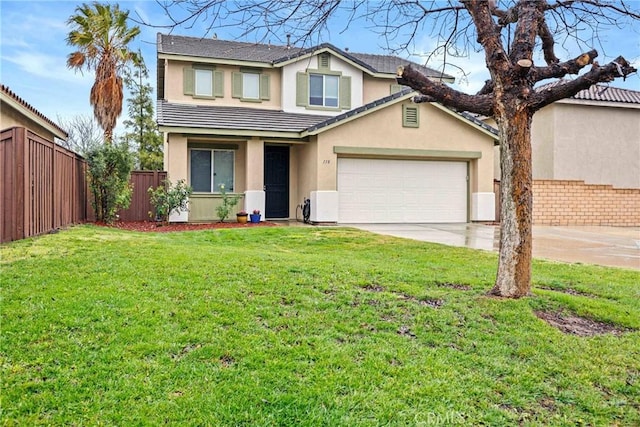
pixel 33 53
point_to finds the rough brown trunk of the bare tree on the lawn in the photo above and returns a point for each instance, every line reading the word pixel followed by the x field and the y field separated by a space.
pixel 516 194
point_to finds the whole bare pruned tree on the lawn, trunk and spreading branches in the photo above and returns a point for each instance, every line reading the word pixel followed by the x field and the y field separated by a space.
pixel 509 32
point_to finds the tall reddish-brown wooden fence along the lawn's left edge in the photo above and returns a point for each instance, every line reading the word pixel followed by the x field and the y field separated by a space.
pixel 42 185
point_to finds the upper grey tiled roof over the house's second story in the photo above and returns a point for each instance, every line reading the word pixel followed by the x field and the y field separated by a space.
pixel 275 55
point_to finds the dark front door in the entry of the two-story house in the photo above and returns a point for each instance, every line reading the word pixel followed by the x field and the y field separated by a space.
pixel 276 181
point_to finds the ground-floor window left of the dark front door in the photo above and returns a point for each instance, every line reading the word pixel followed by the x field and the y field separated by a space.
pixel 210 168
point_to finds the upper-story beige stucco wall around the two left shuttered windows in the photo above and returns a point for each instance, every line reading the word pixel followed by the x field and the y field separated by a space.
pixel 174 88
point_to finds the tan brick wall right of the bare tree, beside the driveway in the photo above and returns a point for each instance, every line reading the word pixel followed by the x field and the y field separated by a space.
pixel 559 202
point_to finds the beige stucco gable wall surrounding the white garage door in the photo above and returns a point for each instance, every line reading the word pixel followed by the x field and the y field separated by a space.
pixel 383 129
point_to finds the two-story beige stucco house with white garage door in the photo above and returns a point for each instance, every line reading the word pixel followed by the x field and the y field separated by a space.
pixel 278 124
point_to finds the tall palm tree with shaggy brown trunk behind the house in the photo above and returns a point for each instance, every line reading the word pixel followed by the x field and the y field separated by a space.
pixel 101 35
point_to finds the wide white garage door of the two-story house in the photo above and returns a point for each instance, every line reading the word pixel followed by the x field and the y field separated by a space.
pixel 401 191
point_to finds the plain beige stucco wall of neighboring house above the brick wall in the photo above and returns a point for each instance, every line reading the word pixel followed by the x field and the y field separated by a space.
pixel 596 144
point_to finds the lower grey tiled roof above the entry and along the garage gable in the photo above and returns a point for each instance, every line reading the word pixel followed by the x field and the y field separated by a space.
pixel 275 123
